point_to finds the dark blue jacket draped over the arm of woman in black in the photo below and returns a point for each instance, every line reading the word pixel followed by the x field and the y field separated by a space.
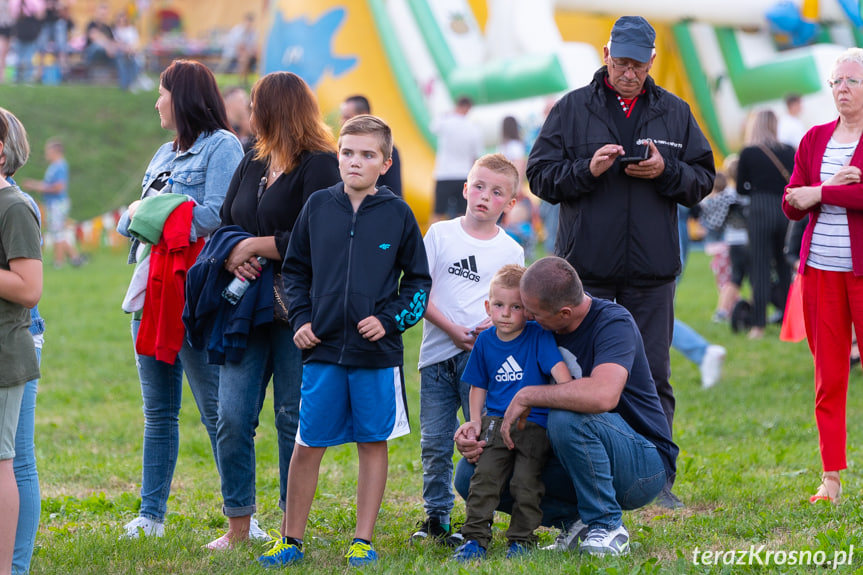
pixel 213 323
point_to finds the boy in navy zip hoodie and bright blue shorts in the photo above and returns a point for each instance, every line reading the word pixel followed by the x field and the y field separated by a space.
pixel 356 276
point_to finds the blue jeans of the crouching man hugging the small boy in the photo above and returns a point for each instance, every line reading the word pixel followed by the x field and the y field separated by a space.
pixel 601 466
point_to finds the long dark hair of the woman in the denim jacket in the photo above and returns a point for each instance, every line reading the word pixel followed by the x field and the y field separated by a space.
pixel 196 100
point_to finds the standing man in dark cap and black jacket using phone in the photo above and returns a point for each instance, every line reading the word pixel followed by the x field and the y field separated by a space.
pixel 619 155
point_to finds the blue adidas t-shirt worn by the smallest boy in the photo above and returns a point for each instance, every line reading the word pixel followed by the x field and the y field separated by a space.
pixel 504 367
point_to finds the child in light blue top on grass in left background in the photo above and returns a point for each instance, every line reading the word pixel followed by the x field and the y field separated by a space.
pixel 54 188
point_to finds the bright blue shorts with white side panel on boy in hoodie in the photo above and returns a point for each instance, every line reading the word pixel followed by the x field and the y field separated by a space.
pixel 340 404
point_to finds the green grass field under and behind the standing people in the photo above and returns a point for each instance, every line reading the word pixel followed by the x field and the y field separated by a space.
pixel 749 449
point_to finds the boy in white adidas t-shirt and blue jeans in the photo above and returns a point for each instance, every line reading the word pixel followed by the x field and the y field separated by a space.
pixel 463 255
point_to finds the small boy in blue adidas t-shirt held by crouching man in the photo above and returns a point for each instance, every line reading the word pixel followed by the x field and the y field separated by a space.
pixel 512 354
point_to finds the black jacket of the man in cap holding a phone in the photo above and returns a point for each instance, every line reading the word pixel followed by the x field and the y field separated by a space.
pixel 616 229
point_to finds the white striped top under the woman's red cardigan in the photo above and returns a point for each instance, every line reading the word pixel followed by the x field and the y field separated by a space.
pixel 831 245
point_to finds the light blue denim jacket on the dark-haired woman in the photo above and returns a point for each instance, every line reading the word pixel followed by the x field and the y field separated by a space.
pixel 202 173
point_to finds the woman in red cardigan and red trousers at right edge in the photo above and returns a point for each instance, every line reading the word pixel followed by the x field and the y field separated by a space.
pixel 827 185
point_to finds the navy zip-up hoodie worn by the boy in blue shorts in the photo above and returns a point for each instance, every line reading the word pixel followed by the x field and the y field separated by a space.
pixel 343 266
